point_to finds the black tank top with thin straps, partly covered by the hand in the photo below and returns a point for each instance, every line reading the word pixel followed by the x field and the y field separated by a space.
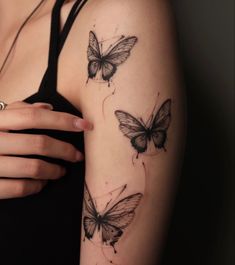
pixel 50 220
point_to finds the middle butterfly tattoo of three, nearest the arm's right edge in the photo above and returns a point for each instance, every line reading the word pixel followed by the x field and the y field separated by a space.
pixel 140 133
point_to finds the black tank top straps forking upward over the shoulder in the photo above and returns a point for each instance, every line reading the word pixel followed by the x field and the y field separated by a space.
pixel 58 38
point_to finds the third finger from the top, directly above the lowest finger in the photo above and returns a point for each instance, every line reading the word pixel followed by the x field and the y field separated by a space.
pixel 18 167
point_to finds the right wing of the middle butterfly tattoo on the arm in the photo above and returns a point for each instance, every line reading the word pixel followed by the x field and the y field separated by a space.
pixel 160 124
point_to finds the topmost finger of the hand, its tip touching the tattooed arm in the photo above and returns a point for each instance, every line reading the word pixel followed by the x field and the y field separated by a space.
pixel 38 118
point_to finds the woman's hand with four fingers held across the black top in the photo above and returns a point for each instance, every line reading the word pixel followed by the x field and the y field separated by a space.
pixel 25 176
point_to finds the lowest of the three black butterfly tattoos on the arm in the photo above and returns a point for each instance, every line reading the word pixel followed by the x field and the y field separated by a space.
pixel 112 222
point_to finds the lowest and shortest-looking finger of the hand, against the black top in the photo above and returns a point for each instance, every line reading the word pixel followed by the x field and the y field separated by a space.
pixel 13 188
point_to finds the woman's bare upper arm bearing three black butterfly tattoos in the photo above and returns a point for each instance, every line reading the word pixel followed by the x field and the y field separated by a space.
pixel 134 98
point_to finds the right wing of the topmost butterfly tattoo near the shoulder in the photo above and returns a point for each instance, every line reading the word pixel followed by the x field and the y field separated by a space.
pixel 116 56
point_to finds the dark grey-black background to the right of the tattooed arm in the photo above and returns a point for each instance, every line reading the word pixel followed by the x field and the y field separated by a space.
pixel 202 226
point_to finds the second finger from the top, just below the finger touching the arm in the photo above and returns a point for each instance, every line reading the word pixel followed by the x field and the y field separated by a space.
pixel 27 144
